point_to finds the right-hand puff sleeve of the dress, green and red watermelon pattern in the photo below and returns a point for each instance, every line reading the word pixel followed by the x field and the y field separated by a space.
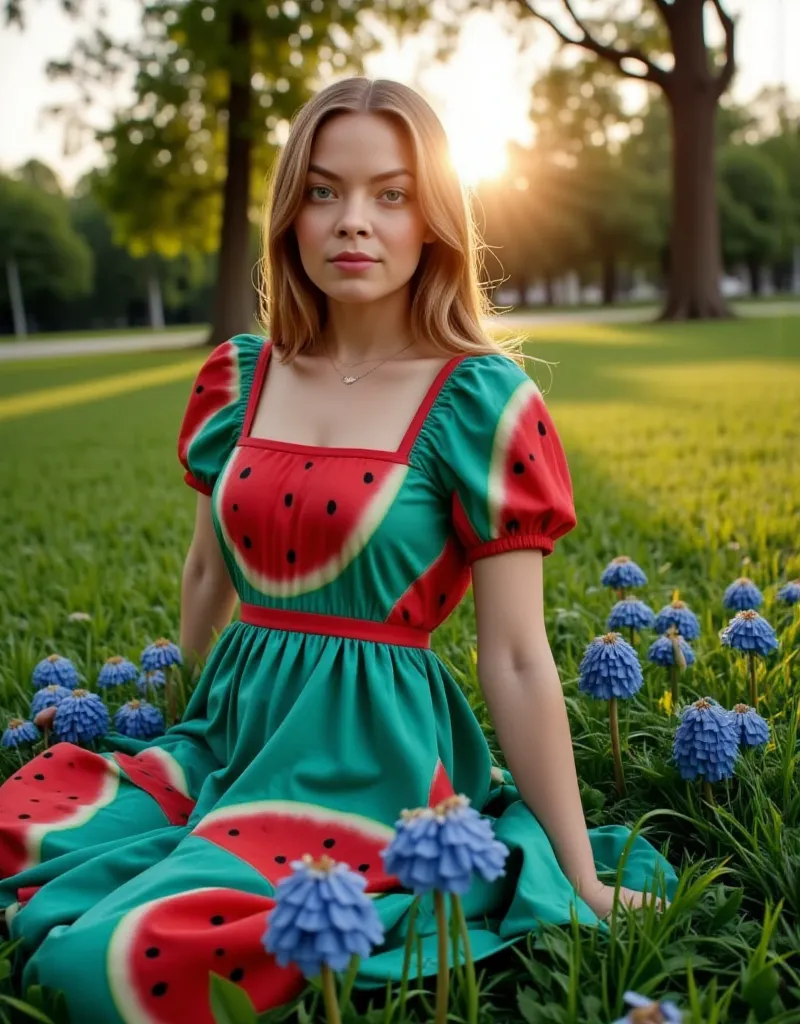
pixel 507 467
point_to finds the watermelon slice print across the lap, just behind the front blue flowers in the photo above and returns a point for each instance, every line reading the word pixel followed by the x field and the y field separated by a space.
pixel 271 834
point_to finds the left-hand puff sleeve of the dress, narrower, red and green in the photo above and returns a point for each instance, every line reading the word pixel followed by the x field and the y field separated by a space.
pixel 216 412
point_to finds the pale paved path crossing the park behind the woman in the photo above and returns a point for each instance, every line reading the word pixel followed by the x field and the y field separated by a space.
pixel 13 351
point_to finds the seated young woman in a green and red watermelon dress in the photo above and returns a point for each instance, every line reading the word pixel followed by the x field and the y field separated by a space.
pixel 355 473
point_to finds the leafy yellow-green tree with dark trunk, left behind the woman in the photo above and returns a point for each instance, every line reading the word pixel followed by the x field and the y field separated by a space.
pixel 217 86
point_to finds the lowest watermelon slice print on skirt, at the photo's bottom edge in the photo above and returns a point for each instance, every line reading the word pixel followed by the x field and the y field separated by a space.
pixel 161 955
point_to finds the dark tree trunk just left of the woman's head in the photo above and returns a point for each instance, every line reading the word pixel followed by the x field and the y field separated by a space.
pixel 234 303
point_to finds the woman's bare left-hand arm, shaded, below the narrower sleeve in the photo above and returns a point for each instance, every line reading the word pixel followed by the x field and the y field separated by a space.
pixel 207 596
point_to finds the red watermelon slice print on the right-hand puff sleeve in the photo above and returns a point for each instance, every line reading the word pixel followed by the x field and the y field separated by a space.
pixel 526 482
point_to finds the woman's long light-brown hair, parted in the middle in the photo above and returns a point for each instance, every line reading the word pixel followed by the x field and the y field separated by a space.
pixel 448 302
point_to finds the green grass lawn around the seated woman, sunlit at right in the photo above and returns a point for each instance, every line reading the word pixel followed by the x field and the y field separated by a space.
pixel 683 444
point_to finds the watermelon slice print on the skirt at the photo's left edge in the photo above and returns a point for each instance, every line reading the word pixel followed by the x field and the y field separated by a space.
pixel 62 788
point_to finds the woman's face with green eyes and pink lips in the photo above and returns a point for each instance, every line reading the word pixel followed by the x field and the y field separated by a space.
pixel 363 203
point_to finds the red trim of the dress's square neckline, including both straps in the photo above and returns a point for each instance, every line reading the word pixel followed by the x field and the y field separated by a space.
pixel 399 455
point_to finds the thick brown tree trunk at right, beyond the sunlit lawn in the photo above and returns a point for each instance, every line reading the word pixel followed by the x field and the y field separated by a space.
pixel 696 260
